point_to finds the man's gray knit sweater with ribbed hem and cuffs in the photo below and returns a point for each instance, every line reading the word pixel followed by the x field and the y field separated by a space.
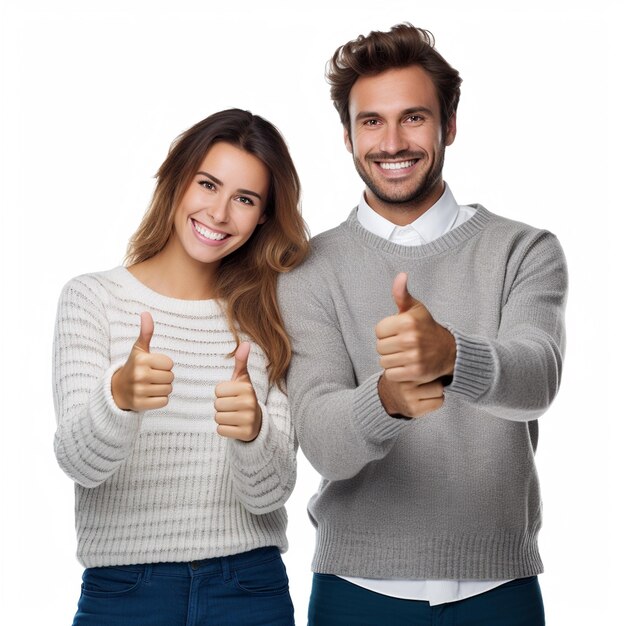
pixel 452 495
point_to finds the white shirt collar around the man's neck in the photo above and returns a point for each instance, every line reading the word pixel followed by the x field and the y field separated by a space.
pixel 434 223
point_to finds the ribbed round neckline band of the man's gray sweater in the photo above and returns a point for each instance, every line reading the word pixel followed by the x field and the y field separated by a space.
pixel 446 242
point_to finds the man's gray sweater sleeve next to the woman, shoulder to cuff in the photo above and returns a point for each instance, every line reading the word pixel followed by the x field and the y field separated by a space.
pixel 341 426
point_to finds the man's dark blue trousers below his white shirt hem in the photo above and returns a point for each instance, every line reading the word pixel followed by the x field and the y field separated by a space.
pixel 337 602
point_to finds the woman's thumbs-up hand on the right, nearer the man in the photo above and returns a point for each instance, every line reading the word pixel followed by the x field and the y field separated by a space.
pixel 237 412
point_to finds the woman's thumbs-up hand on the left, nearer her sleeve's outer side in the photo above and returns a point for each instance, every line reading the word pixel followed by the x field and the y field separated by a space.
pixel 144 382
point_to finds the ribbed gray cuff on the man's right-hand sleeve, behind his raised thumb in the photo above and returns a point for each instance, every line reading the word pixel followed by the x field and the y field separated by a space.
pixel 474 369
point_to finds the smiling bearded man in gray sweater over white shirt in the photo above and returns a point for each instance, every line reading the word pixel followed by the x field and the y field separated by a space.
pixel 427 340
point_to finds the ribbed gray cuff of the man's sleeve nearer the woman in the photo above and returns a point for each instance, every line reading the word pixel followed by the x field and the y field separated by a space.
pixel 370 414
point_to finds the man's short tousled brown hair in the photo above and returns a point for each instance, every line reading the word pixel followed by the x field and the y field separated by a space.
pixel 404 45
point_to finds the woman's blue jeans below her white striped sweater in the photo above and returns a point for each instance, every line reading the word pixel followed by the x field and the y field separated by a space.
pixel 248 589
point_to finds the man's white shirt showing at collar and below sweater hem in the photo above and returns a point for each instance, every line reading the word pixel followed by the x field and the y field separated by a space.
pixel 441 218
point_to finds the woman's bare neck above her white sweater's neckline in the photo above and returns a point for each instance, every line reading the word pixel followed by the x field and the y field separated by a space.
pixel 176 275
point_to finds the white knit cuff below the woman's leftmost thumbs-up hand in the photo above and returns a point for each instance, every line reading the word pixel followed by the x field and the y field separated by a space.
pixel 111 423
